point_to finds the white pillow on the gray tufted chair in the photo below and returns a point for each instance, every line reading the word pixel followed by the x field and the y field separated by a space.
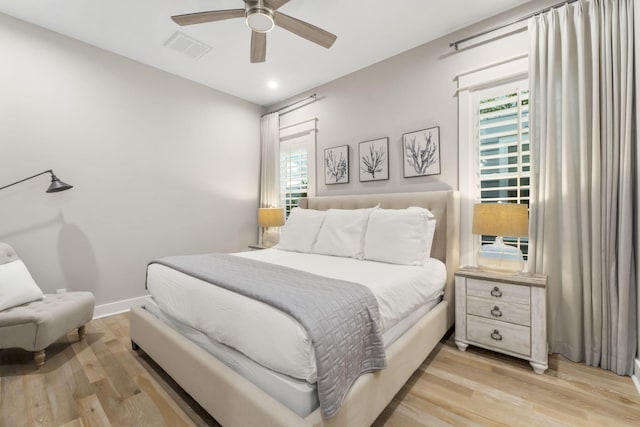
pixel 16 285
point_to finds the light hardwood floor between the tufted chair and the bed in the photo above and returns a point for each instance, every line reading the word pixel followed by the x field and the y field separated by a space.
pixel 99 381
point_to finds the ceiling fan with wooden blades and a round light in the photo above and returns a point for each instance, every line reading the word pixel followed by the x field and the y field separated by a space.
pixel 261 17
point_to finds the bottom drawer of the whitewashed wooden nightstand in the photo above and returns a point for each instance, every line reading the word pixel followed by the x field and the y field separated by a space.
pixel 499 335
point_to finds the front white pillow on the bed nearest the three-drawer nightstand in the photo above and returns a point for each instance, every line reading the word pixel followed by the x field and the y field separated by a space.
pixel 399 236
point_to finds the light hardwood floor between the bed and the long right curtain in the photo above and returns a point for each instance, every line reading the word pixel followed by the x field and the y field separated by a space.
pixel 482 388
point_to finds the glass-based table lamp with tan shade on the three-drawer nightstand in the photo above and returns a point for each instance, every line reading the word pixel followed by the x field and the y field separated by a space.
pixel 500 219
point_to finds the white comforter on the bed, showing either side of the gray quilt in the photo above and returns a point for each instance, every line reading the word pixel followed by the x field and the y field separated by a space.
pixel 271 337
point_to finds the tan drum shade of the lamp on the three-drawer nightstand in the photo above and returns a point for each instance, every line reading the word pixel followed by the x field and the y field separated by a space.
pixel 501 219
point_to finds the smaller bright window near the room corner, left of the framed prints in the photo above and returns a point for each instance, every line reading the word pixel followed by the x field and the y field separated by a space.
pixel 297 163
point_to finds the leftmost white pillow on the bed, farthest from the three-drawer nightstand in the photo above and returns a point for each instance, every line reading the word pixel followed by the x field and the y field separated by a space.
pixel 301 230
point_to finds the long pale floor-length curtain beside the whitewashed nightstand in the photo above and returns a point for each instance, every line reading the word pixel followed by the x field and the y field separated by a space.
pixel 583 213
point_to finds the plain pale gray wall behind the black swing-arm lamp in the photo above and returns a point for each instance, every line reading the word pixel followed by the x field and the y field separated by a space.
pixel 160 165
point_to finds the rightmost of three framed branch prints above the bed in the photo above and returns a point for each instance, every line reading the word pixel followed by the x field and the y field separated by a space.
pixel 421 150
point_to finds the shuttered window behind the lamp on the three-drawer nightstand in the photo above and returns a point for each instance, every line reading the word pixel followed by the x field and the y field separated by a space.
pixel 503 149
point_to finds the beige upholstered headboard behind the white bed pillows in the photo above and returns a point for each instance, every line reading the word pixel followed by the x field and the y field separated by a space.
pixel 445 205
